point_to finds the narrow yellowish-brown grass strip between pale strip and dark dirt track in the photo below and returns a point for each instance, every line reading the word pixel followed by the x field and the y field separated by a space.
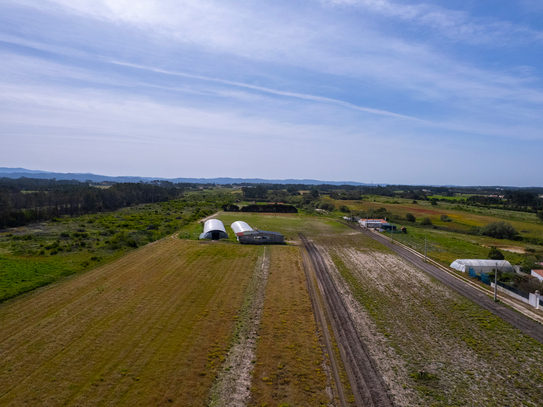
pixel 291 367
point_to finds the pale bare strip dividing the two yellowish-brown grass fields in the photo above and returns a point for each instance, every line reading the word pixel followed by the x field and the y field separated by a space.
pixel 233 384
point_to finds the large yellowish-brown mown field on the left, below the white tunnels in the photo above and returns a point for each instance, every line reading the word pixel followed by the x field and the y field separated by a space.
pixel 149 329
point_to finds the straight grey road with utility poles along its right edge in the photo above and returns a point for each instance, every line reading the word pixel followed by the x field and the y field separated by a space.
pixel 519 321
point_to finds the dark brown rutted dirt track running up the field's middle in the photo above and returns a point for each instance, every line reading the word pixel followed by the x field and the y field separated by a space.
pixel 367 385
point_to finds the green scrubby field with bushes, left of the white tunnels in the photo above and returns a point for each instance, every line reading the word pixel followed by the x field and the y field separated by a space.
pixel 38 254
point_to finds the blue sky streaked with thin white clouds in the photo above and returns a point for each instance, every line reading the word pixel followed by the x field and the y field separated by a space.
pixel 384 91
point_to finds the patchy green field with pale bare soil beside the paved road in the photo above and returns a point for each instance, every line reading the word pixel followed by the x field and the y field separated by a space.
pixel 412 322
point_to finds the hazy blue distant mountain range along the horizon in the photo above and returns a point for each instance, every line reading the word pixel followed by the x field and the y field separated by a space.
pixel 23 172
